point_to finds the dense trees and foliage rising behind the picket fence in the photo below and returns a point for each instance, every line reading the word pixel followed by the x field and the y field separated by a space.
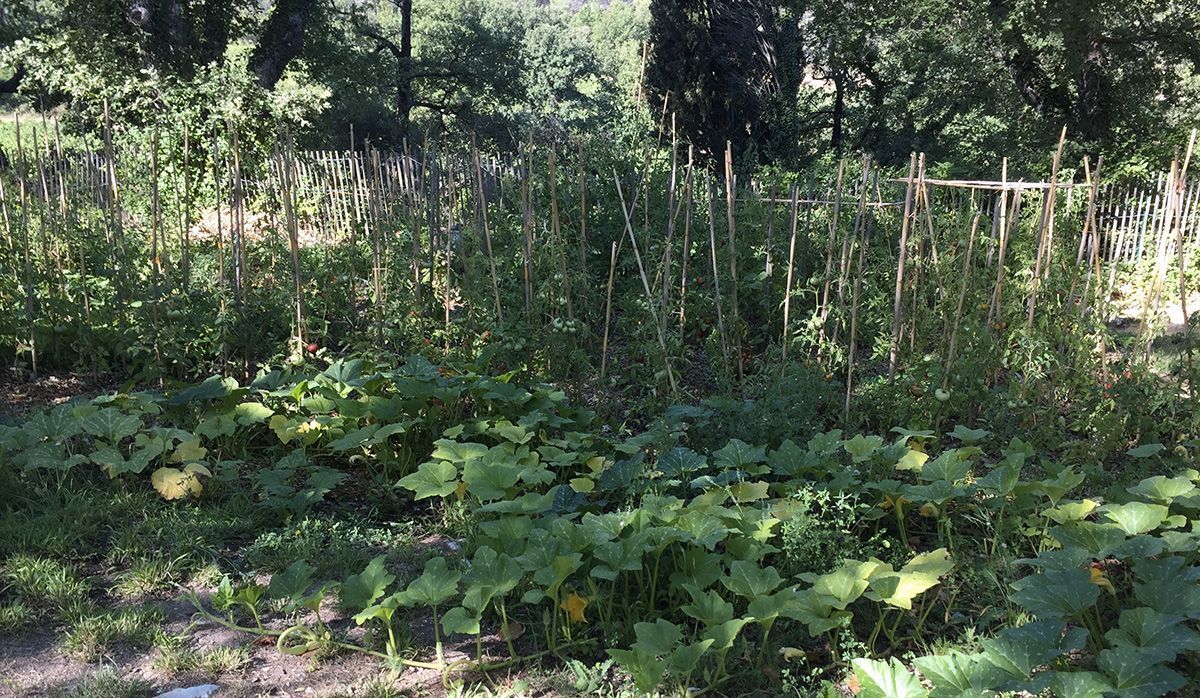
pixel 787 82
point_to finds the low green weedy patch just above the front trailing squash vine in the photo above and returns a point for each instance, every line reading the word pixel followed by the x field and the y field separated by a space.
pixel 334 547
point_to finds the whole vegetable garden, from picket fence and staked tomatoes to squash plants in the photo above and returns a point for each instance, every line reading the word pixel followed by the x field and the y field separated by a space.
pixel 568 420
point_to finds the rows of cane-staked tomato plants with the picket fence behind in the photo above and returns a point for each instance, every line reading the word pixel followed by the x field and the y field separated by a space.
pixel 861 267
